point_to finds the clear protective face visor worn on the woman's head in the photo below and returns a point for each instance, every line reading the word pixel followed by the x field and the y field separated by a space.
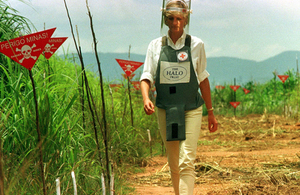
pixel 172 6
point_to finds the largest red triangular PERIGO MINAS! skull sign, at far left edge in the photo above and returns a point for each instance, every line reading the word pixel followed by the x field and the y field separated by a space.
pixel 26 50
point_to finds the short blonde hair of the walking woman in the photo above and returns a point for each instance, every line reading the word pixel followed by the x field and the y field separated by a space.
pixel 181 8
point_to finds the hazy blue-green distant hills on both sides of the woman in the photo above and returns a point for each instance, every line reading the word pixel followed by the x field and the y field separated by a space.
pixel 222 69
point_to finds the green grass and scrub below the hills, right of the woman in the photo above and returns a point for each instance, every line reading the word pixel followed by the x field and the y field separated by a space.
pixel 272 97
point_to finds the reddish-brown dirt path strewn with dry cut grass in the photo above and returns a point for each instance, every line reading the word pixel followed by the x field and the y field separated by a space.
pixel 251 155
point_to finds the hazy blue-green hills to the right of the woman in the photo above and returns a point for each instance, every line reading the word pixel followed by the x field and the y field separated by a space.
pixel 225 69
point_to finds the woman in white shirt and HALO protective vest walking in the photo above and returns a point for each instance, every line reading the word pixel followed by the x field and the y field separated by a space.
pixel 176 63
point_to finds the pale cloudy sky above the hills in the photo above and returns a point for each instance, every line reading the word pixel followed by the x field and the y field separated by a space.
pixel 246 29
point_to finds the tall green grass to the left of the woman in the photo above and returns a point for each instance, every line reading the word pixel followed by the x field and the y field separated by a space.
pixel 67 145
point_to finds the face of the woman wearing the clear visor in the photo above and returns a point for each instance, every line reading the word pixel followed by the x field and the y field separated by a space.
pixel 176 23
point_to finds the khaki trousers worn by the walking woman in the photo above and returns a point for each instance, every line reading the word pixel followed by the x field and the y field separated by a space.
pixel 182 154
